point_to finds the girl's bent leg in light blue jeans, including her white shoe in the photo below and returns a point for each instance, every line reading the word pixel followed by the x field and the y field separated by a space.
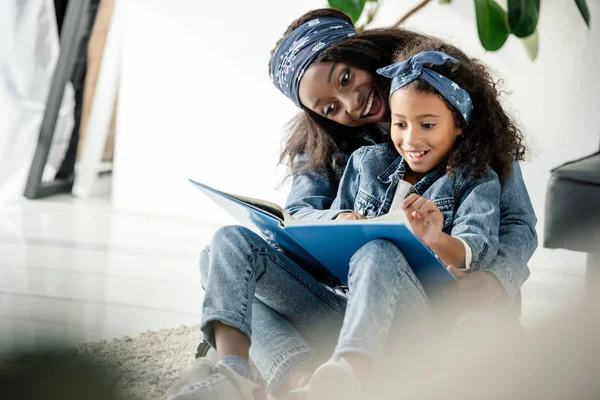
pixel 383 291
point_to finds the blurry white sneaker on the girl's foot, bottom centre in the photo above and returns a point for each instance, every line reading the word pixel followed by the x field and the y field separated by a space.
pixel 334 380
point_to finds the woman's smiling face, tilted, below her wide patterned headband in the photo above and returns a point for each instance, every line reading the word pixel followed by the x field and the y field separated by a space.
pixel 341 93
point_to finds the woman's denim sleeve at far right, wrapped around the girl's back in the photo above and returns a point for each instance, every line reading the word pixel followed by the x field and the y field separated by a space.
pixel 518 238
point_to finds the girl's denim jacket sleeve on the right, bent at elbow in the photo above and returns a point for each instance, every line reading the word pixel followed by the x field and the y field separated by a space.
pixel 477 219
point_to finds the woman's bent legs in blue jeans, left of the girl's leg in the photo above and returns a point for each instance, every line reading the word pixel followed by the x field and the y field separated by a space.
pixel 240 265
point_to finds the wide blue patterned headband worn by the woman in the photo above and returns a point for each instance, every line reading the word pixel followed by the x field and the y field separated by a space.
pixel 297 51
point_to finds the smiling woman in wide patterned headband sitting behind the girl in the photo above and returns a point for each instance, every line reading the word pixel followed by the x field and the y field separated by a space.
pixel 343 109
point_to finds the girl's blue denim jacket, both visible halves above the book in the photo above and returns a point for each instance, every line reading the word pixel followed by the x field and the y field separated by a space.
pixel 470 206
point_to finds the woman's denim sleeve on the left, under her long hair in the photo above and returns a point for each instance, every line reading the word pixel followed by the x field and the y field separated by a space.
pixel 311 195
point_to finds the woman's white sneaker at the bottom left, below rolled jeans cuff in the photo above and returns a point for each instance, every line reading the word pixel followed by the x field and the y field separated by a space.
pixel 222 384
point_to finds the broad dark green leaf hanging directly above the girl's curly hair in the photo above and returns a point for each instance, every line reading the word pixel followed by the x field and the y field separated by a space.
pixel 492 24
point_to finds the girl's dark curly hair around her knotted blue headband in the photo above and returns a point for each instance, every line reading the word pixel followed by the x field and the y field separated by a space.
pixel 492 138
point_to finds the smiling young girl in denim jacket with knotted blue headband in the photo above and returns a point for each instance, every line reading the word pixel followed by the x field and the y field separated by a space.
pixel 447 129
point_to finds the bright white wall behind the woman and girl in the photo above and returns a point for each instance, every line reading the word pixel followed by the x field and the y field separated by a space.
pixel 196 100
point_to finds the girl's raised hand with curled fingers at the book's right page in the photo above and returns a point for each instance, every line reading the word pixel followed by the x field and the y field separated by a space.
pixel 424 217
